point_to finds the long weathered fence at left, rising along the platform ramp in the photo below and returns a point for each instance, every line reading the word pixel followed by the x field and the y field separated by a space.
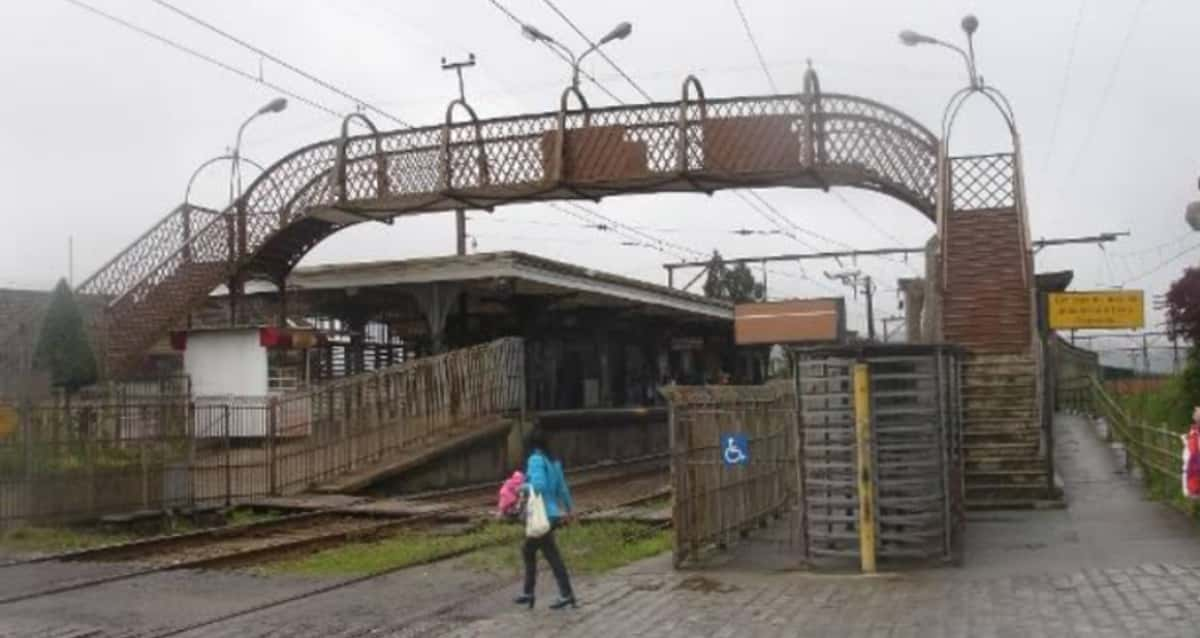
pixel 104 455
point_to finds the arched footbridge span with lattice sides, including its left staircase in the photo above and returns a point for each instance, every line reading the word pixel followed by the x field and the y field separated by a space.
pixel 806 140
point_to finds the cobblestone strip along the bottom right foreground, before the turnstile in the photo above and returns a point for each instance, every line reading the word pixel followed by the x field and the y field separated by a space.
pixel 1150 600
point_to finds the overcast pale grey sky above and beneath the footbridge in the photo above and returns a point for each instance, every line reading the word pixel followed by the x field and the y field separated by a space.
pixel 101 128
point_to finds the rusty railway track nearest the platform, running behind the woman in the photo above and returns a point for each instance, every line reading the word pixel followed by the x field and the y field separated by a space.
pixel 257 543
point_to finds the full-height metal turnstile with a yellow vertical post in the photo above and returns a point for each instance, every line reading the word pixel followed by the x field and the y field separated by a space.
pixel 881 462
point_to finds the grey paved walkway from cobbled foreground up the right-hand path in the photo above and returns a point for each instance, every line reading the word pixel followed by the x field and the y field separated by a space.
pixel 1113 564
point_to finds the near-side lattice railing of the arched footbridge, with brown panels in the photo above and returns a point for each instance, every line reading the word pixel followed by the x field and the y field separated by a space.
pixel 607 152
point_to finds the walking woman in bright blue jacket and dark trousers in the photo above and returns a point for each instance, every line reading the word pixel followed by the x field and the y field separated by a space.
pixel 544 476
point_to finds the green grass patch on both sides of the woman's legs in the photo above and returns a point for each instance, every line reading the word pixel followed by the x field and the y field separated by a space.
pixel 587 549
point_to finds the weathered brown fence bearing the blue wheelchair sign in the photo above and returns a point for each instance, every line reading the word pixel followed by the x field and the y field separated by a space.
pixel 719 496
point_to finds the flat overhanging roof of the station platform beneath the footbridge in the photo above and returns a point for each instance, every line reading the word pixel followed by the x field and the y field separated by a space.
pixel 536 275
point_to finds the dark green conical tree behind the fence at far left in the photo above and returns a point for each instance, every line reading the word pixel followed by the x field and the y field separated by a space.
pixel 63 348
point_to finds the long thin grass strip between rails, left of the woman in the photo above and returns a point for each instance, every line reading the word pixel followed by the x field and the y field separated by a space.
pixel 405 549
